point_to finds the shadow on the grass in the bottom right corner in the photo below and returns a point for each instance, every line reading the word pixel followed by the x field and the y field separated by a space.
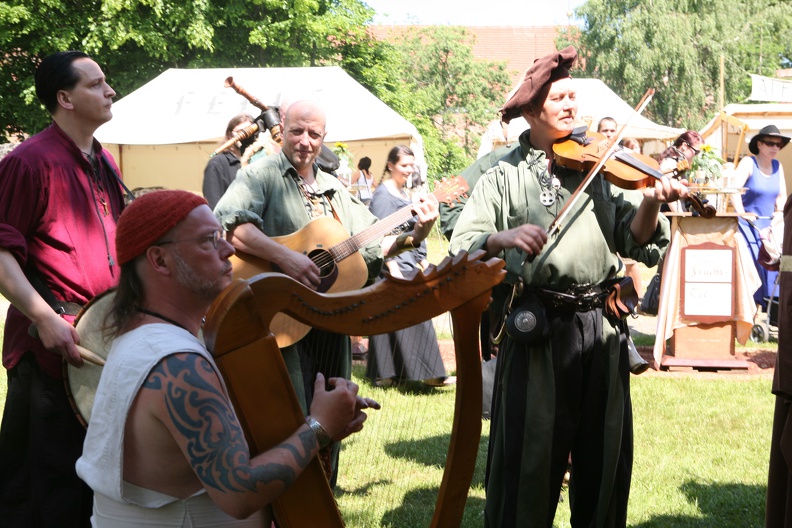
pixel 730 505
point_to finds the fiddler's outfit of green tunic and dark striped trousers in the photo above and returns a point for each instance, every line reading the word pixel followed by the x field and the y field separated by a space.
pixel 570 391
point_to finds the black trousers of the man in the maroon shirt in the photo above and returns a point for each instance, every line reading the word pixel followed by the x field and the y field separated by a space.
pixel 40 440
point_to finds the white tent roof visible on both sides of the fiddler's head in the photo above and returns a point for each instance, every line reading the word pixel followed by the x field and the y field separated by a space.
pixel 595 101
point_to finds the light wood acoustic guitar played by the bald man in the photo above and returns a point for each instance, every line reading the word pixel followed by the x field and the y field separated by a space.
pixel 328 244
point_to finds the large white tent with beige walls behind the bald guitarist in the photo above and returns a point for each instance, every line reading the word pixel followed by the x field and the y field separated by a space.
pixel 163 133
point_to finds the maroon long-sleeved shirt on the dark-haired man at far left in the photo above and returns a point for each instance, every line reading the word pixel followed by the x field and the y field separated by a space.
pixel 53 219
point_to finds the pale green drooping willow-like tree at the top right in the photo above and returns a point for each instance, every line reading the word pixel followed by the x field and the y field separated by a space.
pixel 675 46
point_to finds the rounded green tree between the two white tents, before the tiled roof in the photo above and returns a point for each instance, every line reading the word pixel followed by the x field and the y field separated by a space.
pixel 448 94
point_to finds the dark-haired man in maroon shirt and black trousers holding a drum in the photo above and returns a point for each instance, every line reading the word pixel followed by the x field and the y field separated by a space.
pixel 60 199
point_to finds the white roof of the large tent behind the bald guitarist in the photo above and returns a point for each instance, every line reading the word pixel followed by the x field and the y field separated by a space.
pixel 192 105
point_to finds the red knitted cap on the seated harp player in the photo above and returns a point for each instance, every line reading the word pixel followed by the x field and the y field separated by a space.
pixel 150 216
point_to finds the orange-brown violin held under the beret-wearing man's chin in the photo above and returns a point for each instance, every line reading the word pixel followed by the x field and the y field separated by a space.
pixel 624 168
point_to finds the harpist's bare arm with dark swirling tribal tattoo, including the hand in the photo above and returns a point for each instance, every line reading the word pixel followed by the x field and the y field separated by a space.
pixel 183 393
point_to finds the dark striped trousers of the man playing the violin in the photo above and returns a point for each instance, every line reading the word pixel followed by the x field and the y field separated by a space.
pixel 553 398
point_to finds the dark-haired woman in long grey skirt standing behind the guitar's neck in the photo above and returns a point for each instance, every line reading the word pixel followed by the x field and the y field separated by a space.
pixel 412 353
